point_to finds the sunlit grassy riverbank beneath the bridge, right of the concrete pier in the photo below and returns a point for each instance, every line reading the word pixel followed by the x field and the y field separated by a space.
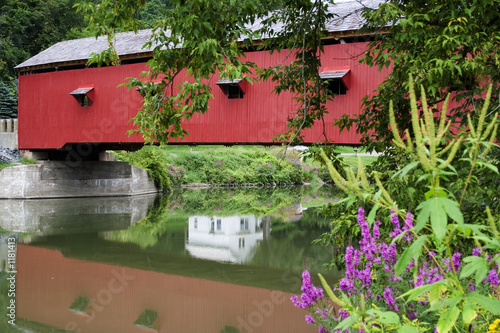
pixel 180 165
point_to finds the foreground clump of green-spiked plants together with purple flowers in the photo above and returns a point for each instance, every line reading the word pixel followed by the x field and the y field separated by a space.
pixel 414 280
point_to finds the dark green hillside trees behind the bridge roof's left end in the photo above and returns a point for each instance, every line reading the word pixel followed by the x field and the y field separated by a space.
pixel 27 27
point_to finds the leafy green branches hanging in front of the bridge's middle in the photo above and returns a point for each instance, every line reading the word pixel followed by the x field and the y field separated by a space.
pixel 195 40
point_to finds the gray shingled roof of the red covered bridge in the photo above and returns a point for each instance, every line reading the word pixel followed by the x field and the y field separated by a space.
pixel 348 17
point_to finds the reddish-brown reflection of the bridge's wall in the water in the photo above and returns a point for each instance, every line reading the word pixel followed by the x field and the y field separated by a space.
pixel 95 297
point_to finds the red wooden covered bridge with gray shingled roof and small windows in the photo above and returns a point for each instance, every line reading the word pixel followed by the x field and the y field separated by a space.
pixel 63 102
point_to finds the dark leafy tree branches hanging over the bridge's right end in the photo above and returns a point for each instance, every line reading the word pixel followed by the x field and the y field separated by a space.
pixel 448 46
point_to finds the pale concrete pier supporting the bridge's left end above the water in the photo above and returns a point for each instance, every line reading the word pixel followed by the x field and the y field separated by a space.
pixel 58 179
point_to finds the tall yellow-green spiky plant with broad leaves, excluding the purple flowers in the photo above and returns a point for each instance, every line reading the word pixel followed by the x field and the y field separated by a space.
pixel 450 304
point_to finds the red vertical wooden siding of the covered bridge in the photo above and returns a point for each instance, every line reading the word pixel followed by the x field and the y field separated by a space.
pixel 49 117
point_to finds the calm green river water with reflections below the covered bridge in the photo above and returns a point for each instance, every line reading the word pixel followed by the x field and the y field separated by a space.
pixel 206 260
